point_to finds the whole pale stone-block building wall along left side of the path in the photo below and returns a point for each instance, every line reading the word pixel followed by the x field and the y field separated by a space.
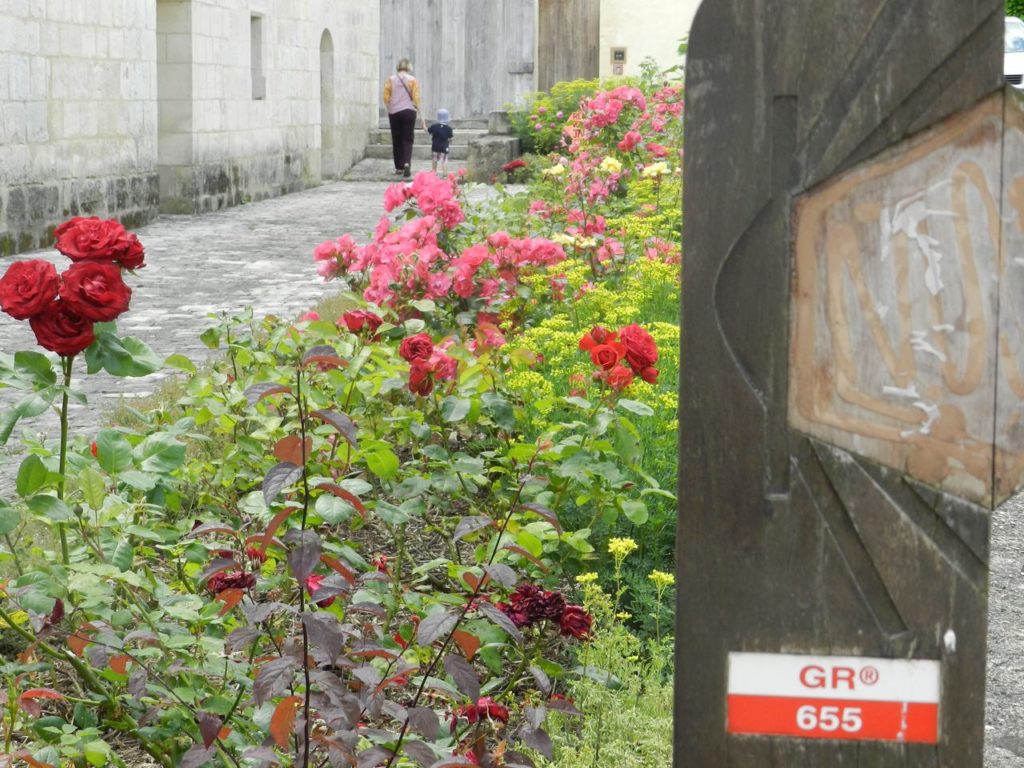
pixel 122 108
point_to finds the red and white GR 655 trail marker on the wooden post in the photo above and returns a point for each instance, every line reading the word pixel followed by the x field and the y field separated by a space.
pixel 834 698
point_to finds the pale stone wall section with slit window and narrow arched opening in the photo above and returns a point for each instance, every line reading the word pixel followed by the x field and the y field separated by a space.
pixel 262 113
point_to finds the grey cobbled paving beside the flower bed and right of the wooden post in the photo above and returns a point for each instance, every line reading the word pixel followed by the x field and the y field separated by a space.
pixel 260 255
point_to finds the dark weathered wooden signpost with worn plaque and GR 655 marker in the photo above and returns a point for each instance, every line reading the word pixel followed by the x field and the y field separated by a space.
pixel 852 383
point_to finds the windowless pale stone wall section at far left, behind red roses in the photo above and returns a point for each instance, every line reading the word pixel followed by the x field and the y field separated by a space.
pixel 78 115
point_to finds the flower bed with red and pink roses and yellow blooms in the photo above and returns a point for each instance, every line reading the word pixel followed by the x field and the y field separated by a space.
pixel 355 538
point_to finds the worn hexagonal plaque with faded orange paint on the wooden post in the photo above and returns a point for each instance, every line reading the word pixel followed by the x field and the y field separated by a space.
pixel 898 353
